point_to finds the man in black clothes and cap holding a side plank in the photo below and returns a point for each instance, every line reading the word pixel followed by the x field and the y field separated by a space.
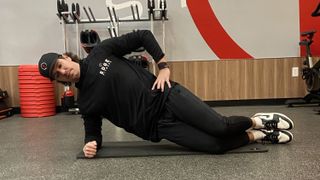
pixel 153 108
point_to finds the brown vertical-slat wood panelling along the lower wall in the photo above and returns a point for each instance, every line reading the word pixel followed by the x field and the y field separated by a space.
pixel 211 80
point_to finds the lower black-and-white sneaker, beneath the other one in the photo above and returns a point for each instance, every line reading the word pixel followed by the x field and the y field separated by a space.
pixel 276 136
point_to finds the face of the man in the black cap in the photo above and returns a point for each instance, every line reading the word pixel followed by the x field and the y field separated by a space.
pixel 66 70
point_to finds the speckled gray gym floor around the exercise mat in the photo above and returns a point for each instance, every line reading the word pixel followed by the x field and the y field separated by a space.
pixel 46 148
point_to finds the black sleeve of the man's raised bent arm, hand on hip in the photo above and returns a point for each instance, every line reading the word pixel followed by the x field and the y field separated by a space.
pixel 129 42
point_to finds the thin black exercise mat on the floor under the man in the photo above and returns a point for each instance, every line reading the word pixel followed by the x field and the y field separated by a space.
pixel 163 148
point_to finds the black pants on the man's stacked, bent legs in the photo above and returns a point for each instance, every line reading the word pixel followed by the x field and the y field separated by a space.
pixel 189 122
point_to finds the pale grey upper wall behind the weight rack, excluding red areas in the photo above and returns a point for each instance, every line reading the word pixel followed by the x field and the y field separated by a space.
pixel 265 28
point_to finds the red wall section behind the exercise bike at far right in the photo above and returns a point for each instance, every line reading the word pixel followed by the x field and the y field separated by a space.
pixel 307 23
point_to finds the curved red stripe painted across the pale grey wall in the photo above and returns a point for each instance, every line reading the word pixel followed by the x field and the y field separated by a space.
pixel 212 31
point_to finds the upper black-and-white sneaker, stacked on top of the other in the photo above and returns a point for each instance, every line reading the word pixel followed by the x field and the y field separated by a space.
pixel 275 121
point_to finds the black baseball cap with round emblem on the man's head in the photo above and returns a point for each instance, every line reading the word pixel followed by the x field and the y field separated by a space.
pixel 46 64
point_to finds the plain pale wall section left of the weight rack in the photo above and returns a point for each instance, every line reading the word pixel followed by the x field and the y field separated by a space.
pixel 28 28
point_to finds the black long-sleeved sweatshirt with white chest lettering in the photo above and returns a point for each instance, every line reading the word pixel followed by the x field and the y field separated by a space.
pixel 114 88
